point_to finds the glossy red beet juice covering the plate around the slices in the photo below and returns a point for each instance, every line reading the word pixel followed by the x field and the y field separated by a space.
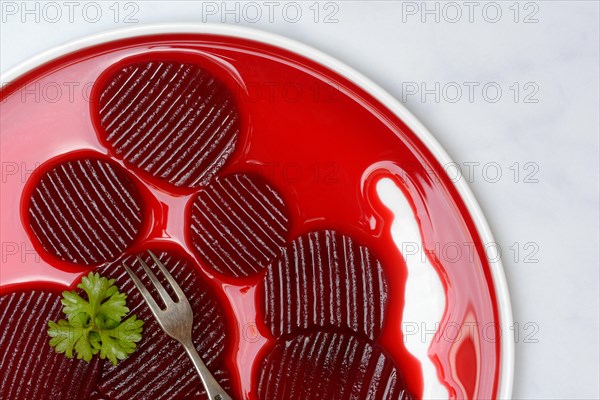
pixel 320 140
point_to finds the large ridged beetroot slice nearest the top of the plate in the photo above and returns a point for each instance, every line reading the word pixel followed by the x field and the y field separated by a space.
pixel 172 120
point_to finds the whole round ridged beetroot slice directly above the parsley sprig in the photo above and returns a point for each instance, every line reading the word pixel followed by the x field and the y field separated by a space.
pixel 85 211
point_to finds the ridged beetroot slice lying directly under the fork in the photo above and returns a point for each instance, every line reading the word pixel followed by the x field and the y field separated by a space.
pixel 159 368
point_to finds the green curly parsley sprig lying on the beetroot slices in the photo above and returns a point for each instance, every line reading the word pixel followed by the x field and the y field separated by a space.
pixel 95 325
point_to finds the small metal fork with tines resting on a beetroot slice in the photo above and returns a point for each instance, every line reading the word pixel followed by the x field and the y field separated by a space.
pixel 176 320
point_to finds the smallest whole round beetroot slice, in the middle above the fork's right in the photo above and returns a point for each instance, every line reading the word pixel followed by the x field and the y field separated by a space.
pixel 238 225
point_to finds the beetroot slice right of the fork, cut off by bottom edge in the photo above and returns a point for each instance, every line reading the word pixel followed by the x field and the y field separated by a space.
pixel 329 365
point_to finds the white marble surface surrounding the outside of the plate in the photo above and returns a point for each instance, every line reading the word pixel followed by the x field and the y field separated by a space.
pixel 556 299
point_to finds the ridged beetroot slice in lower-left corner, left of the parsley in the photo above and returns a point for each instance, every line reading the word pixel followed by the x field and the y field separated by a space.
pixel 29 367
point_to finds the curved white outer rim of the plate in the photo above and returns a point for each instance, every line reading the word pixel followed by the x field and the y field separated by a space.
pixel 507 347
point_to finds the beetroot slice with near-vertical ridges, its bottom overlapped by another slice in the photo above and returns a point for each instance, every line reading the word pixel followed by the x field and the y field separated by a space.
pixel 325 279
